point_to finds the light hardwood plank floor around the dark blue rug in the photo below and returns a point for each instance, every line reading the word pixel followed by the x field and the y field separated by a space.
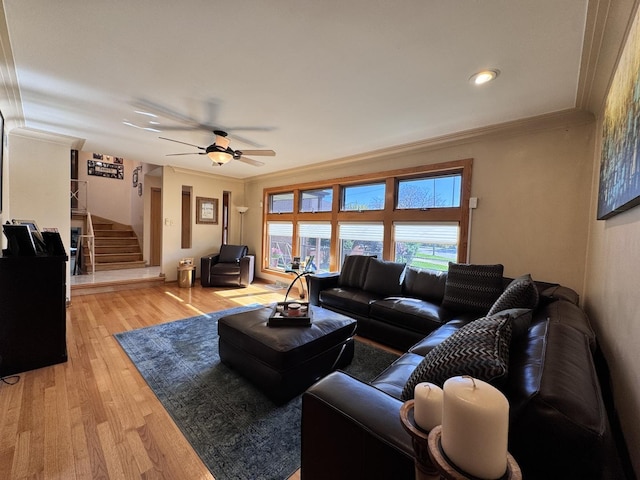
pixel 94 417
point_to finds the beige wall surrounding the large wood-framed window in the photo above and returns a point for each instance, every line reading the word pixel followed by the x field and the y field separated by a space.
pixel 532 185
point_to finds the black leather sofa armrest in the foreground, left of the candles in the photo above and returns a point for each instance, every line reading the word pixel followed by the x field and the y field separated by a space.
pixel 351 429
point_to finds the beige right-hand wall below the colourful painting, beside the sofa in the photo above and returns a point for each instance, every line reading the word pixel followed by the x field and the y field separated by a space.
pixel 613 304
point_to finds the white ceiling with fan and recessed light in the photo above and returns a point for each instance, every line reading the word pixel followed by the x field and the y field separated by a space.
pixel 319 80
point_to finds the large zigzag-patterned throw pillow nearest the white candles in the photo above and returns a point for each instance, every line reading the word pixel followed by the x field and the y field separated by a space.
pixel 479 349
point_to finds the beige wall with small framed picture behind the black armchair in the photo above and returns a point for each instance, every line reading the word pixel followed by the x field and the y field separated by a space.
pixel 206 238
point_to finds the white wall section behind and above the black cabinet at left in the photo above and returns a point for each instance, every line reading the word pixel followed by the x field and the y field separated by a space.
pixel 39 167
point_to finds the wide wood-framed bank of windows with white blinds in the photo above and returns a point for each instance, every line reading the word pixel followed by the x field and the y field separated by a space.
pixel 418 215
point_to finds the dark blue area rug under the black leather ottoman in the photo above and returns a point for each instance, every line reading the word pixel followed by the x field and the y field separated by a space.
pixel 237 431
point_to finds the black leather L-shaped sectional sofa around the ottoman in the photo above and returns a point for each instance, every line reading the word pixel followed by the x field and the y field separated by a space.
pixel 559 426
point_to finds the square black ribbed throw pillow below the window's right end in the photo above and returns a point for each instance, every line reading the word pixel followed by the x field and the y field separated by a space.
pixel 472 288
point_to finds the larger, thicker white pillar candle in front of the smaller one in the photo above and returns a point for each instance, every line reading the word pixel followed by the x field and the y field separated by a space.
pixel 475 427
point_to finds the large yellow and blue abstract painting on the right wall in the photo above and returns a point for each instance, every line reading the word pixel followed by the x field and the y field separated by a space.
pixel 619 165
